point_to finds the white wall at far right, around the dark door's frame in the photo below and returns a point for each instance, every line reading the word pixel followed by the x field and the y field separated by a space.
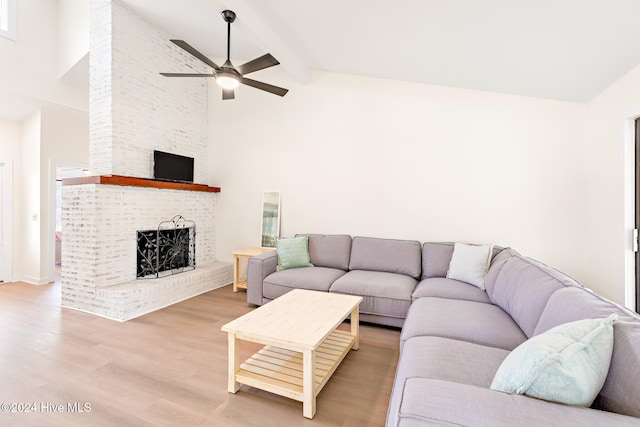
pixel 609 158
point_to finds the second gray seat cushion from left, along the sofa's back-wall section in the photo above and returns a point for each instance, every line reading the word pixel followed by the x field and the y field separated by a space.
pixel 385 294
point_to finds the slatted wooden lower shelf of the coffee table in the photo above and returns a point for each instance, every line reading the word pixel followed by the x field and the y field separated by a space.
pixel 280 371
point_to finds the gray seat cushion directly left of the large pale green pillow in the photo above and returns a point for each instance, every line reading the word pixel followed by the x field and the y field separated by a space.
pixel 444 359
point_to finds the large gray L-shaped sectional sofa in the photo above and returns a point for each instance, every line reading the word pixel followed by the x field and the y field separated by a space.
pixel 455 336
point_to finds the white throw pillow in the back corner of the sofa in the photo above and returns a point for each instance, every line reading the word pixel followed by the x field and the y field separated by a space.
pixel 470 263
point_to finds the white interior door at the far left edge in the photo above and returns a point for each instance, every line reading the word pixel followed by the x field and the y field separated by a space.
pixel 6 176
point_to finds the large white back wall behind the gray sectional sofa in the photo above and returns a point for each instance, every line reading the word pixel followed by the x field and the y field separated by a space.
pixel 383 158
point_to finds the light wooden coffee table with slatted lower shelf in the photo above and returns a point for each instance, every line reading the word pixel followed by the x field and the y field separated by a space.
pixel 303 346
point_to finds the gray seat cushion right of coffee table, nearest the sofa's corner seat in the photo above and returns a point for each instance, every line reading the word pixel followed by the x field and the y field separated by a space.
pixel 470 321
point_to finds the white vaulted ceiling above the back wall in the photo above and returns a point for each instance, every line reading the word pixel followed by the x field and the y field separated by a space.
pixel 559 49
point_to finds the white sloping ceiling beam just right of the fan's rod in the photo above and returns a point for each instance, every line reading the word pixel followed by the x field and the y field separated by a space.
pixel 269 40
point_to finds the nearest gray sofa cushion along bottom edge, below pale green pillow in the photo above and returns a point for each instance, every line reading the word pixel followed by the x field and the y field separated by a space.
pixel 453 404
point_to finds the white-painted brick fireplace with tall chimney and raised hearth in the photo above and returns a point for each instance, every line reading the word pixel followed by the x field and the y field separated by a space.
pixel 133 111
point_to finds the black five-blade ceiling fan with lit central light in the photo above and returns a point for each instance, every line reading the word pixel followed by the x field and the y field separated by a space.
pixel 229 77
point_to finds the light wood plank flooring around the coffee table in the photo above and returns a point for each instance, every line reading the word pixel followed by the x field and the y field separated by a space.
pixel 167 368
